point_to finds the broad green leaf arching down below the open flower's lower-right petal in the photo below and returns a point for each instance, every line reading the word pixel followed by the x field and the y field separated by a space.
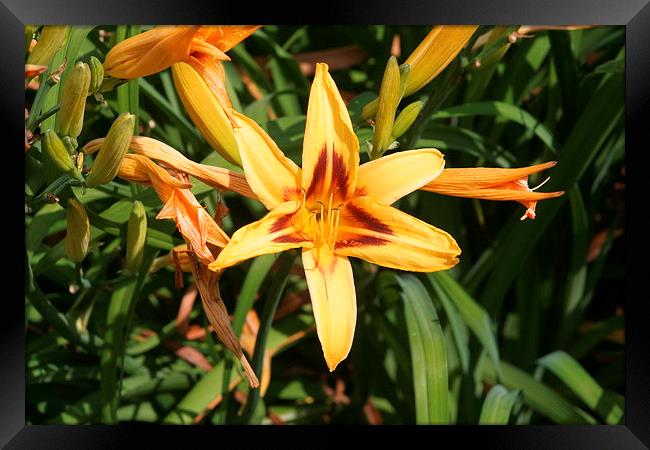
pixel 428 353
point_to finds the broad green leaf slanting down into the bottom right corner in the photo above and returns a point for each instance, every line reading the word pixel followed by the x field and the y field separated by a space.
pixel 584 386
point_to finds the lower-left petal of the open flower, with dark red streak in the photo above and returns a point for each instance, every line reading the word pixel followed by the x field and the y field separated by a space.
pixel 273 233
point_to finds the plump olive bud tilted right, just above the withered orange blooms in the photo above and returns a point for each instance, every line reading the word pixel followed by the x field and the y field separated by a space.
pixel 112 151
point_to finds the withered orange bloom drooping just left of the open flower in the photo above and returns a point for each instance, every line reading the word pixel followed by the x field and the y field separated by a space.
pixel 194 223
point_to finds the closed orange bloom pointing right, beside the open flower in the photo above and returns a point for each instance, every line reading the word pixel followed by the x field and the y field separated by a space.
pixel 493 184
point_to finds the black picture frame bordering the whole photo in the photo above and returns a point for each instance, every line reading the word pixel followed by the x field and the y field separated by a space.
pixel 634 14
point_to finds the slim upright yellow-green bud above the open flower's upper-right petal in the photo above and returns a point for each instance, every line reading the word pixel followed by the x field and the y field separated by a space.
pixel 390 95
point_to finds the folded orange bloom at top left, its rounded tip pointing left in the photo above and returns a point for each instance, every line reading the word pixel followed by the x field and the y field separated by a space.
pixel 149 52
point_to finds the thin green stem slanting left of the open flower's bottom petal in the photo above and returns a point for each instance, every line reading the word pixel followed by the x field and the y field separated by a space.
pixel 270 306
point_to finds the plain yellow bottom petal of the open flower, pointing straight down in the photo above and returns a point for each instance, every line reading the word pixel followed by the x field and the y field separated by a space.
pixel 333 299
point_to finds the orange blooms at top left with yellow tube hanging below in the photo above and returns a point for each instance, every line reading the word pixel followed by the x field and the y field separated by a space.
pixel 195 54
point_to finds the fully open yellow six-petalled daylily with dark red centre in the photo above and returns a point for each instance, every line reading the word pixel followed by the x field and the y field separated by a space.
pixel 333 208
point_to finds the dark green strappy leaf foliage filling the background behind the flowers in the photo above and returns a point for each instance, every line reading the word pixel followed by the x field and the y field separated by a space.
pixel 527 329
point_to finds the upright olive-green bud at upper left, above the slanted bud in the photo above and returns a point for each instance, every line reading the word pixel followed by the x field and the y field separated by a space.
pixel 73 100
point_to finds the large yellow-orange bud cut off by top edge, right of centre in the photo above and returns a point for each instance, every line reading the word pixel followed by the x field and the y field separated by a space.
pixel 435 53
